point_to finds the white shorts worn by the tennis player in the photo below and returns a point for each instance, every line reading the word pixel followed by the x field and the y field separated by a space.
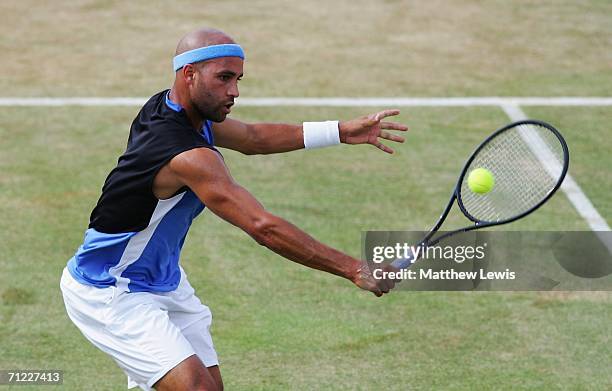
pixel 146 333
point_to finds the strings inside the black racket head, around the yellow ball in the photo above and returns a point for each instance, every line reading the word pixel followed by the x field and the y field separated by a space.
pixel 526 161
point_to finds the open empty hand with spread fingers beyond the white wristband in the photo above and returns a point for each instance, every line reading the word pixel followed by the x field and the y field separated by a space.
pixel 369 129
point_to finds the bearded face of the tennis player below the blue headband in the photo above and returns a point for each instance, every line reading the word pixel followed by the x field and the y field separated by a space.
pixel 215 87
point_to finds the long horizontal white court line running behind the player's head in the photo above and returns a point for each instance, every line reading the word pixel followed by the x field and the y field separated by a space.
pixel 335 101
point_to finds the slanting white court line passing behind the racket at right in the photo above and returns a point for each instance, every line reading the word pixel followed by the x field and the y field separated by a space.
pixel 572 190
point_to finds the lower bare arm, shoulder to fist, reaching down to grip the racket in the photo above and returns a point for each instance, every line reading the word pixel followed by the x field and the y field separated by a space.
pixel 203 171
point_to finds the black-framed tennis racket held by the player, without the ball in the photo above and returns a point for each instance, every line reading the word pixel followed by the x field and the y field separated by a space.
pixel 528 159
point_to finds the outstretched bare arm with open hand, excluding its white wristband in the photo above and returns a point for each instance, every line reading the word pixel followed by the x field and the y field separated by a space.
pixel 266 138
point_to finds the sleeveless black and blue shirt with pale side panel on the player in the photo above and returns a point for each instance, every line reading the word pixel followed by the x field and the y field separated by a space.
pixel 134 239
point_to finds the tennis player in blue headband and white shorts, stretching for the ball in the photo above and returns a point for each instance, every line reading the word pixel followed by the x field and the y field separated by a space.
pixel 124 288
